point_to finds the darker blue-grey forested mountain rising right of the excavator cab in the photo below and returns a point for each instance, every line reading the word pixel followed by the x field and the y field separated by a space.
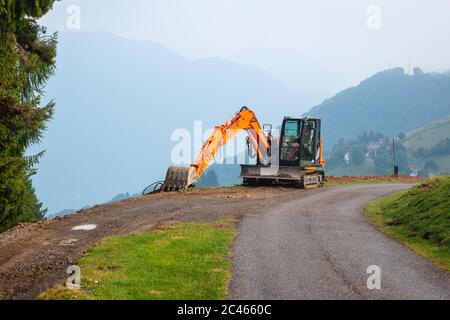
pixel 389 102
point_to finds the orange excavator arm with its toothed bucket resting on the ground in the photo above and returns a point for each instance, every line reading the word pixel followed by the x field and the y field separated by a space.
pixel 182 177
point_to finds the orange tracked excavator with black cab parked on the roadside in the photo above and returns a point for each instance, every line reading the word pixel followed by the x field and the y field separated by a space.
pixel 294 158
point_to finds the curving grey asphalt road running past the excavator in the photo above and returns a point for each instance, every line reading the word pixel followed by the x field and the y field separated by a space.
pixel 320 245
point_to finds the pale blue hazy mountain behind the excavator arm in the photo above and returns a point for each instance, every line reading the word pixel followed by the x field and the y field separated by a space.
pixel 119 101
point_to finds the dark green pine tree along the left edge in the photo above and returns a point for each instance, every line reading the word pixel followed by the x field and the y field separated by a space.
pixel 27 60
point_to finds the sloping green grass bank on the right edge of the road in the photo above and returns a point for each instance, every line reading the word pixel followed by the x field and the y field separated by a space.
pixel 418 218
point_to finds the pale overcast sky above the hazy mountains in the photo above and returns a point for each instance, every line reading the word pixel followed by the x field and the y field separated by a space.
pixel 312 45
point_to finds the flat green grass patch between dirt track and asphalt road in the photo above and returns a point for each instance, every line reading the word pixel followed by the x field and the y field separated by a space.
pixel 183 261
